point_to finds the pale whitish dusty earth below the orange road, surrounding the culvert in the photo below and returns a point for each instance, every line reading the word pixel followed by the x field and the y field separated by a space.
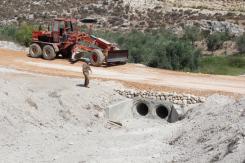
pixel 55 119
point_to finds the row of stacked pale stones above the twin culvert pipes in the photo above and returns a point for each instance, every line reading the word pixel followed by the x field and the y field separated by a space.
pixel 179 99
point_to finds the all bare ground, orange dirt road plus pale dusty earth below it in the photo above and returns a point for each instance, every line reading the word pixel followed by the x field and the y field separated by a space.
pixel 46 115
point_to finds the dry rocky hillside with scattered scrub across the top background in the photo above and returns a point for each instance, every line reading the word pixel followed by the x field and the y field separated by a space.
pixel 215 15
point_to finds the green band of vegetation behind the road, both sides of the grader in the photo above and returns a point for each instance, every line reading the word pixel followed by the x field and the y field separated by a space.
pixel 161 48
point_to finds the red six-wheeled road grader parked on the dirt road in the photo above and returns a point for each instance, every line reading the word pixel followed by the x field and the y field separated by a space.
pixel 64 38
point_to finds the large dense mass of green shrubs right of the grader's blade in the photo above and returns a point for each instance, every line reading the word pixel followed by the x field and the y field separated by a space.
pixel 157 48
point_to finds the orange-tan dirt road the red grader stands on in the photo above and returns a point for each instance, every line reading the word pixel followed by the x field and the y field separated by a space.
pixel 134 75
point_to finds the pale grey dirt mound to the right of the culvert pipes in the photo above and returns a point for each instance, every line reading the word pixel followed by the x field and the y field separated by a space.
pixel 213 131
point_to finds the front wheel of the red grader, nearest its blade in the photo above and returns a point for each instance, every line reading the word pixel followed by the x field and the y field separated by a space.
pixel 97 58
